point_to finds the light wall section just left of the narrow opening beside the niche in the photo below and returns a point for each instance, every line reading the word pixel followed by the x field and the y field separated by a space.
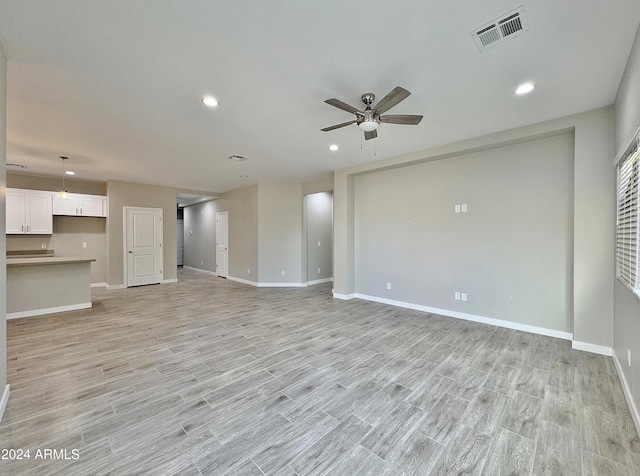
pixel 280 234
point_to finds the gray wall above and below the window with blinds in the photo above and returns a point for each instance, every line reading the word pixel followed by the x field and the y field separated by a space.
pixel 626 304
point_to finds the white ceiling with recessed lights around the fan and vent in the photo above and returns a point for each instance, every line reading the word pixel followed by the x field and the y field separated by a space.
pixel 116 85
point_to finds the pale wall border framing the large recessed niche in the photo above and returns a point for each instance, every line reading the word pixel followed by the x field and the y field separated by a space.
pixel 593 217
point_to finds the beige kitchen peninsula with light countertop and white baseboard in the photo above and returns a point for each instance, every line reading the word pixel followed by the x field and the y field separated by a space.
pixel 43 284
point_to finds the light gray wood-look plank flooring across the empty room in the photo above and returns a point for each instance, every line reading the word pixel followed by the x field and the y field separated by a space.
pixel 212 377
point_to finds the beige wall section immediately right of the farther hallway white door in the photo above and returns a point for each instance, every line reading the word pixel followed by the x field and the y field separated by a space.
pixel 242 205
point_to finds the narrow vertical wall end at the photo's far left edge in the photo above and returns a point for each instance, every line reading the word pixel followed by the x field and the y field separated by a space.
pixel 3 190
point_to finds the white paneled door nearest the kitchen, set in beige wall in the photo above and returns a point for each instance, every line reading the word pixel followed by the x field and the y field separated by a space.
pixel 143 232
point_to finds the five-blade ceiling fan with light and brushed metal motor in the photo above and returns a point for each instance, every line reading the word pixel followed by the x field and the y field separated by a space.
pixel 369 119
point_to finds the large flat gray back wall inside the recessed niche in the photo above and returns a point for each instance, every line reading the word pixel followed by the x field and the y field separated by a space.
pixel 510 252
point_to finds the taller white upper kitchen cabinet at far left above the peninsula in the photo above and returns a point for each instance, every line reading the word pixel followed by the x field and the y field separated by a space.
pixel 29 212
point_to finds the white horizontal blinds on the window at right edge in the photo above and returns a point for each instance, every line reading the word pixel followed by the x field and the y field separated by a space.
pixel 627 220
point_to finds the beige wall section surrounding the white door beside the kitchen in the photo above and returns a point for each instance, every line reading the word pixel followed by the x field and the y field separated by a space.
pixel 121 194
